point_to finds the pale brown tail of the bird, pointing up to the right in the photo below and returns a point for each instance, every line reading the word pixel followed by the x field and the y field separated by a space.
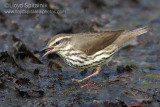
pixel 127 35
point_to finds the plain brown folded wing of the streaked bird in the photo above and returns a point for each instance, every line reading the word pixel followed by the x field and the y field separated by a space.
pixel 92 42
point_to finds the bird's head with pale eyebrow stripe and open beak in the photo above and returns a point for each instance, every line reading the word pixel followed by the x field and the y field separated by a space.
pixel 57 43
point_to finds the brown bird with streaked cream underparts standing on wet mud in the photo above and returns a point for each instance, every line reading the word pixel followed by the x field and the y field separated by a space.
pixel 90 50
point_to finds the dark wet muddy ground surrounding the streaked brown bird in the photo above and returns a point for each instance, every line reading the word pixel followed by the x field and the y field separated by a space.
pixel 132 78
